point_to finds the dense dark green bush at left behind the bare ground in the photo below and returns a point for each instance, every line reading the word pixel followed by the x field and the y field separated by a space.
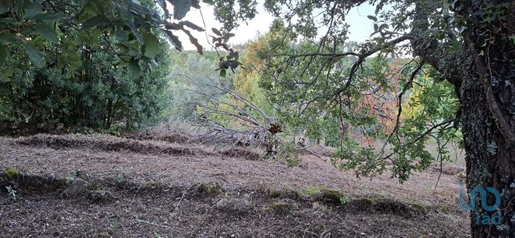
pixel 81 76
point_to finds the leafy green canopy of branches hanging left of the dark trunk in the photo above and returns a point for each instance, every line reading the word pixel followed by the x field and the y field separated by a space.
pixel 352 95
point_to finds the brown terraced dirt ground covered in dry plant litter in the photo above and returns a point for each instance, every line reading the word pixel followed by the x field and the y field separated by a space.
pixel 105 186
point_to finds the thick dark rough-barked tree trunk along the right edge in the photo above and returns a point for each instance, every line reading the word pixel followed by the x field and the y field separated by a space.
pixel 488 113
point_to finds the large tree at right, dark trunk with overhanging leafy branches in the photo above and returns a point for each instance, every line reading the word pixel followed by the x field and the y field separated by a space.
pixel 469 44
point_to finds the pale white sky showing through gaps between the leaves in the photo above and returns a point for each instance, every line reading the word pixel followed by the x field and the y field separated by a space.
pixel 360 26
